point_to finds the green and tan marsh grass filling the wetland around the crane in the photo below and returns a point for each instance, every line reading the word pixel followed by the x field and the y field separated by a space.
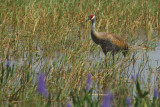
pixel 52 37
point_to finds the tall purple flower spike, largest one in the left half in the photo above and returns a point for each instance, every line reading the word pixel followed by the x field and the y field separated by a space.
pixel 41 88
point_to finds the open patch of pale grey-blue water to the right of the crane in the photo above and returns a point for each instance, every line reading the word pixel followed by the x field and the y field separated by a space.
pixel 147 63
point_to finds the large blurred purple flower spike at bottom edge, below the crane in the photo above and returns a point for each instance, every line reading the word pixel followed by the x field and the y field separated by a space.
pixel 107 100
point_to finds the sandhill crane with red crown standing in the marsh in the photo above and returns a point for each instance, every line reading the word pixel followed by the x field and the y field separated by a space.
pixel 107 41
